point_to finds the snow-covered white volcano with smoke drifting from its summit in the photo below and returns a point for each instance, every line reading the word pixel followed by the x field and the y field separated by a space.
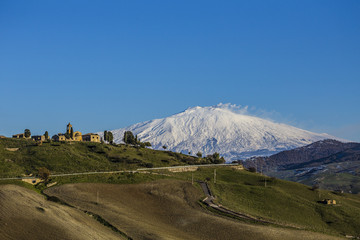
pixel 219 129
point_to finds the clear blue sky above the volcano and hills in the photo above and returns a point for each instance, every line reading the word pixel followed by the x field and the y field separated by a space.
pixel 108 64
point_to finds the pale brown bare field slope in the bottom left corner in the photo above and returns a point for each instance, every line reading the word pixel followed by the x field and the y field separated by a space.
pixel 25 214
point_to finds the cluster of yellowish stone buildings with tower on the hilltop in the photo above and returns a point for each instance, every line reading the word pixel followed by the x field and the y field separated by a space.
pixel 70 135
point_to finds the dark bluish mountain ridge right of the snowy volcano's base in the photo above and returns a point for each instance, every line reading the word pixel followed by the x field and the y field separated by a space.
pixel 329 164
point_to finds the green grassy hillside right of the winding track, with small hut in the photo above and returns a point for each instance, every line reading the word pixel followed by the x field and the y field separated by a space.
pixel 283 202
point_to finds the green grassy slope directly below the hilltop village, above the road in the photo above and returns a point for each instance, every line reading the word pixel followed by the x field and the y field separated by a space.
pixel 19 156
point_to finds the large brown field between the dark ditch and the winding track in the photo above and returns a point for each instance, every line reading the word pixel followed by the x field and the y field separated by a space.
pixel 165 209
